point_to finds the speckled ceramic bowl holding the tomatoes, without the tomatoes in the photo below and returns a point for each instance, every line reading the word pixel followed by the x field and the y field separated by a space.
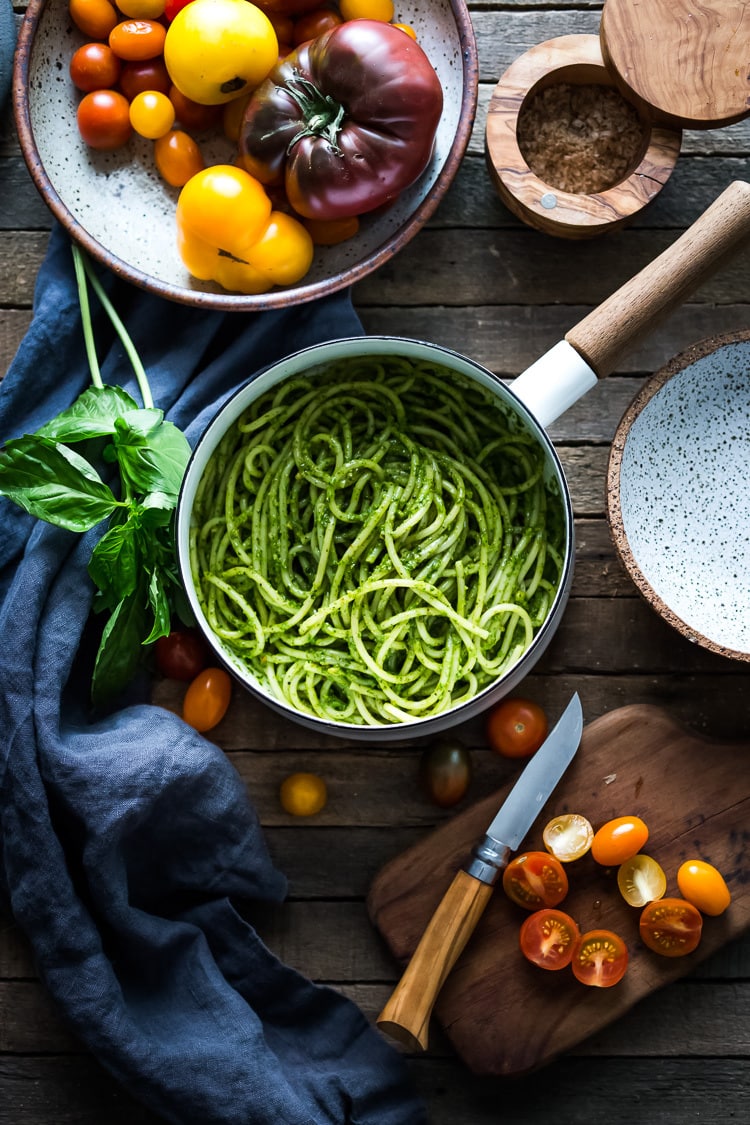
pixel 118 208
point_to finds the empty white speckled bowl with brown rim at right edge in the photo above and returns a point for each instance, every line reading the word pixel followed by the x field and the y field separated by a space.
pixel 679 497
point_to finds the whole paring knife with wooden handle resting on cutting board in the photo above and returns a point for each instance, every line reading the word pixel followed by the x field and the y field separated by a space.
pixel 406 1016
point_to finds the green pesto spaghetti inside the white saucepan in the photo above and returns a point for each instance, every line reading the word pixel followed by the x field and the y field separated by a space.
pixel 377 544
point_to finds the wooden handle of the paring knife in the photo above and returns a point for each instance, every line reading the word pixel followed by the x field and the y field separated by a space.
pixel 406 1015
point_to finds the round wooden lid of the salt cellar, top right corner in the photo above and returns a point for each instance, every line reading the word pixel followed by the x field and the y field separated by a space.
pixel 683 64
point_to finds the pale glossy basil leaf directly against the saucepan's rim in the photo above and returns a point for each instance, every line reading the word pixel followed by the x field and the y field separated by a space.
pixel 152 454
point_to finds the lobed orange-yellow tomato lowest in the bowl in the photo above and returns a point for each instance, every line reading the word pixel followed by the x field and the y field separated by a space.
pixel 229 233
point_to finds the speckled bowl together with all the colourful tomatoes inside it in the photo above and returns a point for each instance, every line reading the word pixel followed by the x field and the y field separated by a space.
pixel 112 131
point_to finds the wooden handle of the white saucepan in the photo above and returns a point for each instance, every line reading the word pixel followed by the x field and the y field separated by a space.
pixel 619 323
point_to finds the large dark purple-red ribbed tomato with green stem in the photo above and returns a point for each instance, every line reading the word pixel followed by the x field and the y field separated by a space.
pixel 346 122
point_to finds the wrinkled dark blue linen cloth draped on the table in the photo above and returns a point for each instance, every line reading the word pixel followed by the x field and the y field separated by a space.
pixel 126 843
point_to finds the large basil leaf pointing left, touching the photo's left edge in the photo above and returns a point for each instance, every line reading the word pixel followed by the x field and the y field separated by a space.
pixel 55 483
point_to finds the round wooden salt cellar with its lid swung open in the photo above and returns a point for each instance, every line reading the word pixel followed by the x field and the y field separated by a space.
pixel 679 67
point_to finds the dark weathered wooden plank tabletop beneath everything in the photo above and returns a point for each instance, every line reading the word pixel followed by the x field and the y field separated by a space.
pixel 482 283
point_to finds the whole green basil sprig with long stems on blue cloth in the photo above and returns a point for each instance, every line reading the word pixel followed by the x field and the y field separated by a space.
pixel 133 566
